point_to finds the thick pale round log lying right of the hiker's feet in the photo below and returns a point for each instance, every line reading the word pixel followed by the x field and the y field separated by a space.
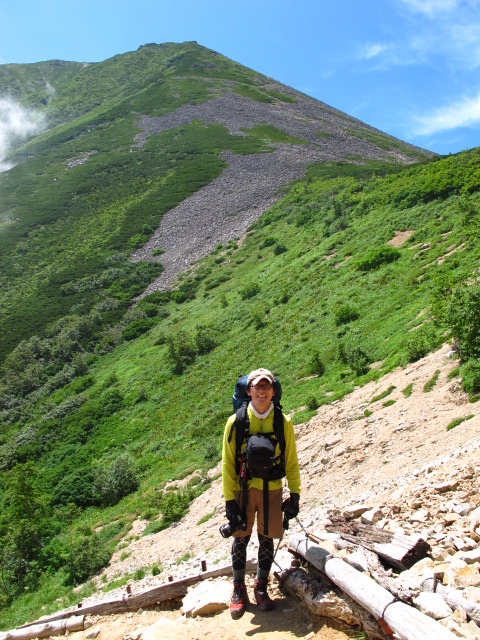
pixel 407 623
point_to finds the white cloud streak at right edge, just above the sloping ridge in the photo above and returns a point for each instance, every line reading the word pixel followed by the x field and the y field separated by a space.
pixel 462 113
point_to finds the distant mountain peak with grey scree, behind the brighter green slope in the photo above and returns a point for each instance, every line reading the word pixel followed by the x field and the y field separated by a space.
pixel 169 150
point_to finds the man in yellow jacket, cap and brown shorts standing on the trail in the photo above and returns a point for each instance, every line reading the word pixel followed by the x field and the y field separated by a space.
pixel 247 494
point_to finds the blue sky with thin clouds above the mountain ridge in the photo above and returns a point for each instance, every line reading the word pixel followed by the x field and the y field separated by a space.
pixel 408 67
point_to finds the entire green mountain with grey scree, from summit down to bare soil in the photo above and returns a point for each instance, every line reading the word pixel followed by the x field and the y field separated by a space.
pixel 179 220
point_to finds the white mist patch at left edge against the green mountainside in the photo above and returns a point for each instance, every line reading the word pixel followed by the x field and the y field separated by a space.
pixel 16 123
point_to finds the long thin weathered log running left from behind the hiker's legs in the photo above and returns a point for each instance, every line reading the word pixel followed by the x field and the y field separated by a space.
pixel 143 599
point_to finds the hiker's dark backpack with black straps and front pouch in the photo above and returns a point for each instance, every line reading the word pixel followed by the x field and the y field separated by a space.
pixel 259 459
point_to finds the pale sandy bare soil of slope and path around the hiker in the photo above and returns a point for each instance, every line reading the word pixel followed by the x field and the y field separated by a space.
pixel 346 457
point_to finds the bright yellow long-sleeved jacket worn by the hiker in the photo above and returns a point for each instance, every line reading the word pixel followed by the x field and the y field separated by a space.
pixel 230 482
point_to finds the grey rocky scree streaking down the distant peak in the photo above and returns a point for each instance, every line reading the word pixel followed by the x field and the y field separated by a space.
pixel 251 184
